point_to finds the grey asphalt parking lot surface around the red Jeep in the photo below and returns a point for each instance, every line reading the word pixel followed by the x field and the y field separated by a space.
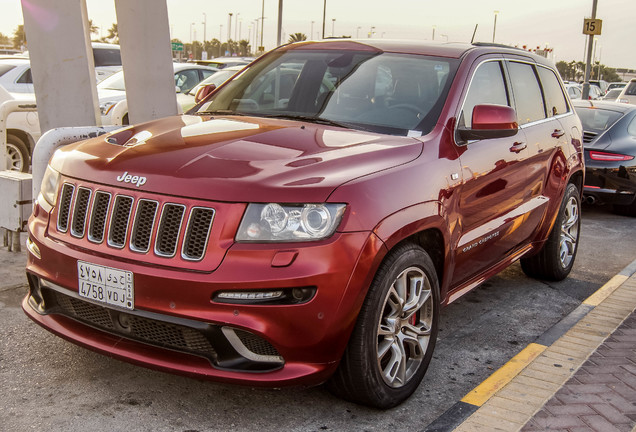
pixel 50 384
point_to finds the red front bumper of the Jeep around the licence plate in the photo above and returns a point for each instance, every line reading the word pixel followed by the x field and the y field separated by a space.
pixel 177 325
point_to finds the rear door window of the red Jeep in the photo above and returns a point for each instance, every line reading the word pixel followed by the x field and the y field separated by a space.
pixel 527 92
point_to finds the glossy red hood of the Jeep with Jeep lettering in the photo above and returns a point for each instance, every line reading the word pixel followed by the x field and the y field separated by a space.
pixel 234 159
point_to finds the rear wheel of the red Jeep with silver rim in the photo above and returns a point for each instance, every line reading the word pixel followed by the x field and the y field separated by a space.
pixel 556 258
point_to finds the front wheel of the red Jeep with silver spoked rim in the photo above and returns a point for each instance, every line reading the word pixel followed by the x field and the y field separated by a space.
pixel 394 337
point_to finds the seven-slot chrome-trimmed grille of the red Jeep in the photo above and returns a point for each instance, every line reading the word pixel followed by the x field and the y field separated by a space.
pixel 115 218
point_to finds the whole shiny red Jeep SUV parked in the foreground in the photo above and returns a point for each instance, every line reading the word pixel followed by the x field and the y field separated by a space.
pixel 296 235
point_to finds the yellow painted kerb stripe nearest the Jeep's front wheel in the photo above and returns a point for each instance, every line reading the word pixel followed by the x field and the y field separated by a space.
pixel 484 391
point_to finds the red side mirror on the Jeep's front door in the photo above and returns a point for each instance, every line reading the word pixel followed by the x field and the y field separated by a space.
pixel 491 121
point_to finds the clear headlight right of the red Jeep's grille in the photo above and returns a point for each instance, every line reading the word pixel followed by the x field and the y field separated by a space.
pixel 289 222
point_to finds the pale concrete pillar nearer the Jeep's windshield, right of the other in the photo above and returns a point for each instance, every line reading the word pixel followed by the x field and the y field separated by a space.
pixel 144 35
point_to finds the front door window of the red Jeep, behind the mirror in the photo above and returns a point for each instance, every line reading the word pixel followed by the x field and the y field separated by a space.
pixel 486 87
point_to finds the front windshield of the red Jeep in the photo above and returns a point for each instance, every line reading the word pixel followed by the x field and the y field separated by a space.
pixel 383 92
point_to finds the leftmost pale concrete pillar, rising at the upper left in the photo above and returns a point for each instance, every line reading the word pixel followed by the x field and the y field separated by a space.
pixel 62 62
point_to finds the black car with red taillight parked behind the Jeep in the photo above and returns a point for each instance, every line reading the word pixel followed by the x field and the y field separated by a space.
pixel 609 136
